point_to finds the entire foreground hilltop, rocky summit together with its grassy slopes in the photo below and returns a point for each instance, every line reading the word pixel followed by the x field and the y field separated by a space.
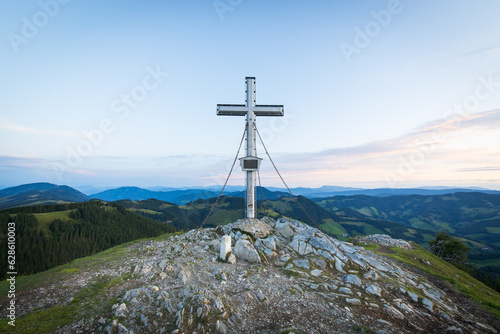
pixel 275 282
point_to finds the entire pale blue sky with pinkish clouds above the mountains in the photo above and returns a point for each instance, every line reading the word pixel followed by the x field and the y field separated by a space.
pixel 376 93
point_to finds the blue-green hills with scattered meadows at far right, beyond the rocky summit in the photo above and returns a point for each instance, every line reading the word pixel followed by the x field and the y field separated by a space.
pixel 473 216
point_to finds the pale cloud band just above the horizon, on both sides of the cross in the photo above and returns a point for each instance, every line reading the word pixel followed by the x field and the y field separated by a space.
pixel 458 148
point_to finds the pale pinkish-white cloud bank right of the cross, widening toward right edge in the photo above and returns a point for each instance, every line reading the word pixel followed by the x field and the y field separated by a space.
pixel 436 144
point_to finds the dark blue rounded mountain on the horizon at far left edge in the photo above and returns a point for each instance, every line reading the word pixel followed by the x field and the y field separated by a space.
pixel 39 193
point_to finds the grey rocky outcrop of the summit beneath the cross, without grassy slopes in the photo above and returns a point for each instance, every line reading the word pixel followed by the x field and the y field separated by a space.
pixel 284 276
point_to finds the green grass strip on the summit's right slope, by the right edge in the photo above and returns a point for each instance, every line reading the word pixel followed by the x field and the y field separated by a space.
pixel 462 281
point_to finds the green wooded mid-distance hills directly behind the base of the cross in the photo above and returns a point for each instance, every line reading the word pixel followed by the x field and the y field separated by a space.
pixel 342 225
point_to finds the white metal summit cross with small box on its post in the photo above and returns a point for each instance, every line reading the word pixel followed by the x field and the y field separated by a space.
pixel 250 163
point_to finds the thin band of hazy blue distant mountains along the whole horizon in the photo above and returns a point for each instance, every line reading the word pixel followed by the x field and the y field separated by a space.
pixel 47 193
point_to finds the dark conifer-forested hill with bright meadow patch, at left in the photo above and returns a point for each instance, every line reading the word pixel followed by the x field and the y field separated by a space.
pixel 50 235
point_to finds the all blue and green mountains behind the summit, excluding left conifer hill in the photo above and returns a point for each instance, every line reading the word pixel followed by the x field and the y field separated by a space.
pixel 472 216
